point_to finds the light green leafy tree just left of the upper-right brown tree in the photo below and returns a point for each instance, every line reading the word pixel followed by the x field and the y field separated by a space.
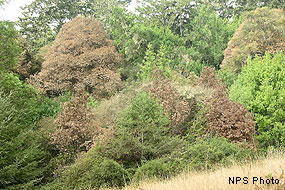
pixel 209 36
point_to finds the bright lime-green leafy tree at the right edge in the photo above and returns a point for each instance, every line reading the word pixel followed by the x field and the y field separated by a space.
pixel 260 88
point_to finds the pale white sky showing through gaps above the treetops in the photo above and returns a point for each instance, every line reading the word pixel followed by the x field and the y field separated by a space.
pixel 11 11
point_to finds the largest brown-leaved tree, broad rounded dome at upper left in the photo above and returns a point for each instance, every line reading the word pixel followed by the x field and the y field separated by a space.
pixel 81 56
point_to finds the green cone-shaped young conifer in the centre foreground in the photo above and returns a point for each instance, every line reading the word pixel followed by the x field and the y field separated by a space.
pixel 142 134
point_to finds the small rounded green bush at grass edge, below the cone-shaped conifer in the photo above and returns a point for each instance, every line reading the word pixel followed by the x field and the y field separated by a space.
pixel 154 168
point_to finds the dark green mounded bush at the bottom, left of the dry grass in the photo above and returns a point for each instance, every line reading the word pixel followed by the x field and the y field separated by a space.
pixel 91 171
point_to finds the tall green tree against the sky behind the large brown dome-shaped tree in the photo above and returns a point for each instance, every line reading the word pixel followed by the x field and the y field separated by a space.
pixel 42 20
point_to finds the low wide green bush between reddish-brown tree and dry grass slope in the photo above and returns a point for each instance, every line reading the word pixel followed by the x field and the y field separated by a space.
pixel 208 153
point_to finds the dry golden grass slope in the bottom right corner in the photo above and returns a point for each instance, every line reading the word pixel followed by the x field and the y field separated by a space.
pixel 273 165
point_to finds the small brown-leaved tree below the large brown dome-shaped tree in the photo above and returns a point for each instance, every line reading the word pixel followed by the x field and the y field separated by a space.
pixel 73 126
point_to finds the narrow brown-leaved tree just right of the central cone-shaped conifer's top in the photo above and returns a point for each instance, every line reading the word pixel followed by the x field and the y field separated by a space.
pixel 175 105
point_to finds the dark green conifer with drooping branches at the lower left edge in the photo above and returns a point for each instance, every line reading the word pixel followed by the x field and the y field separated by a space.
pixel 25 160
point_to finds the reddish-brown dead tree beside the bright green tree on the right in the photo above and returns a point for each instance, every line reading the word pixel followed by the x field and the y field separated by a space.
pixel 226 117
